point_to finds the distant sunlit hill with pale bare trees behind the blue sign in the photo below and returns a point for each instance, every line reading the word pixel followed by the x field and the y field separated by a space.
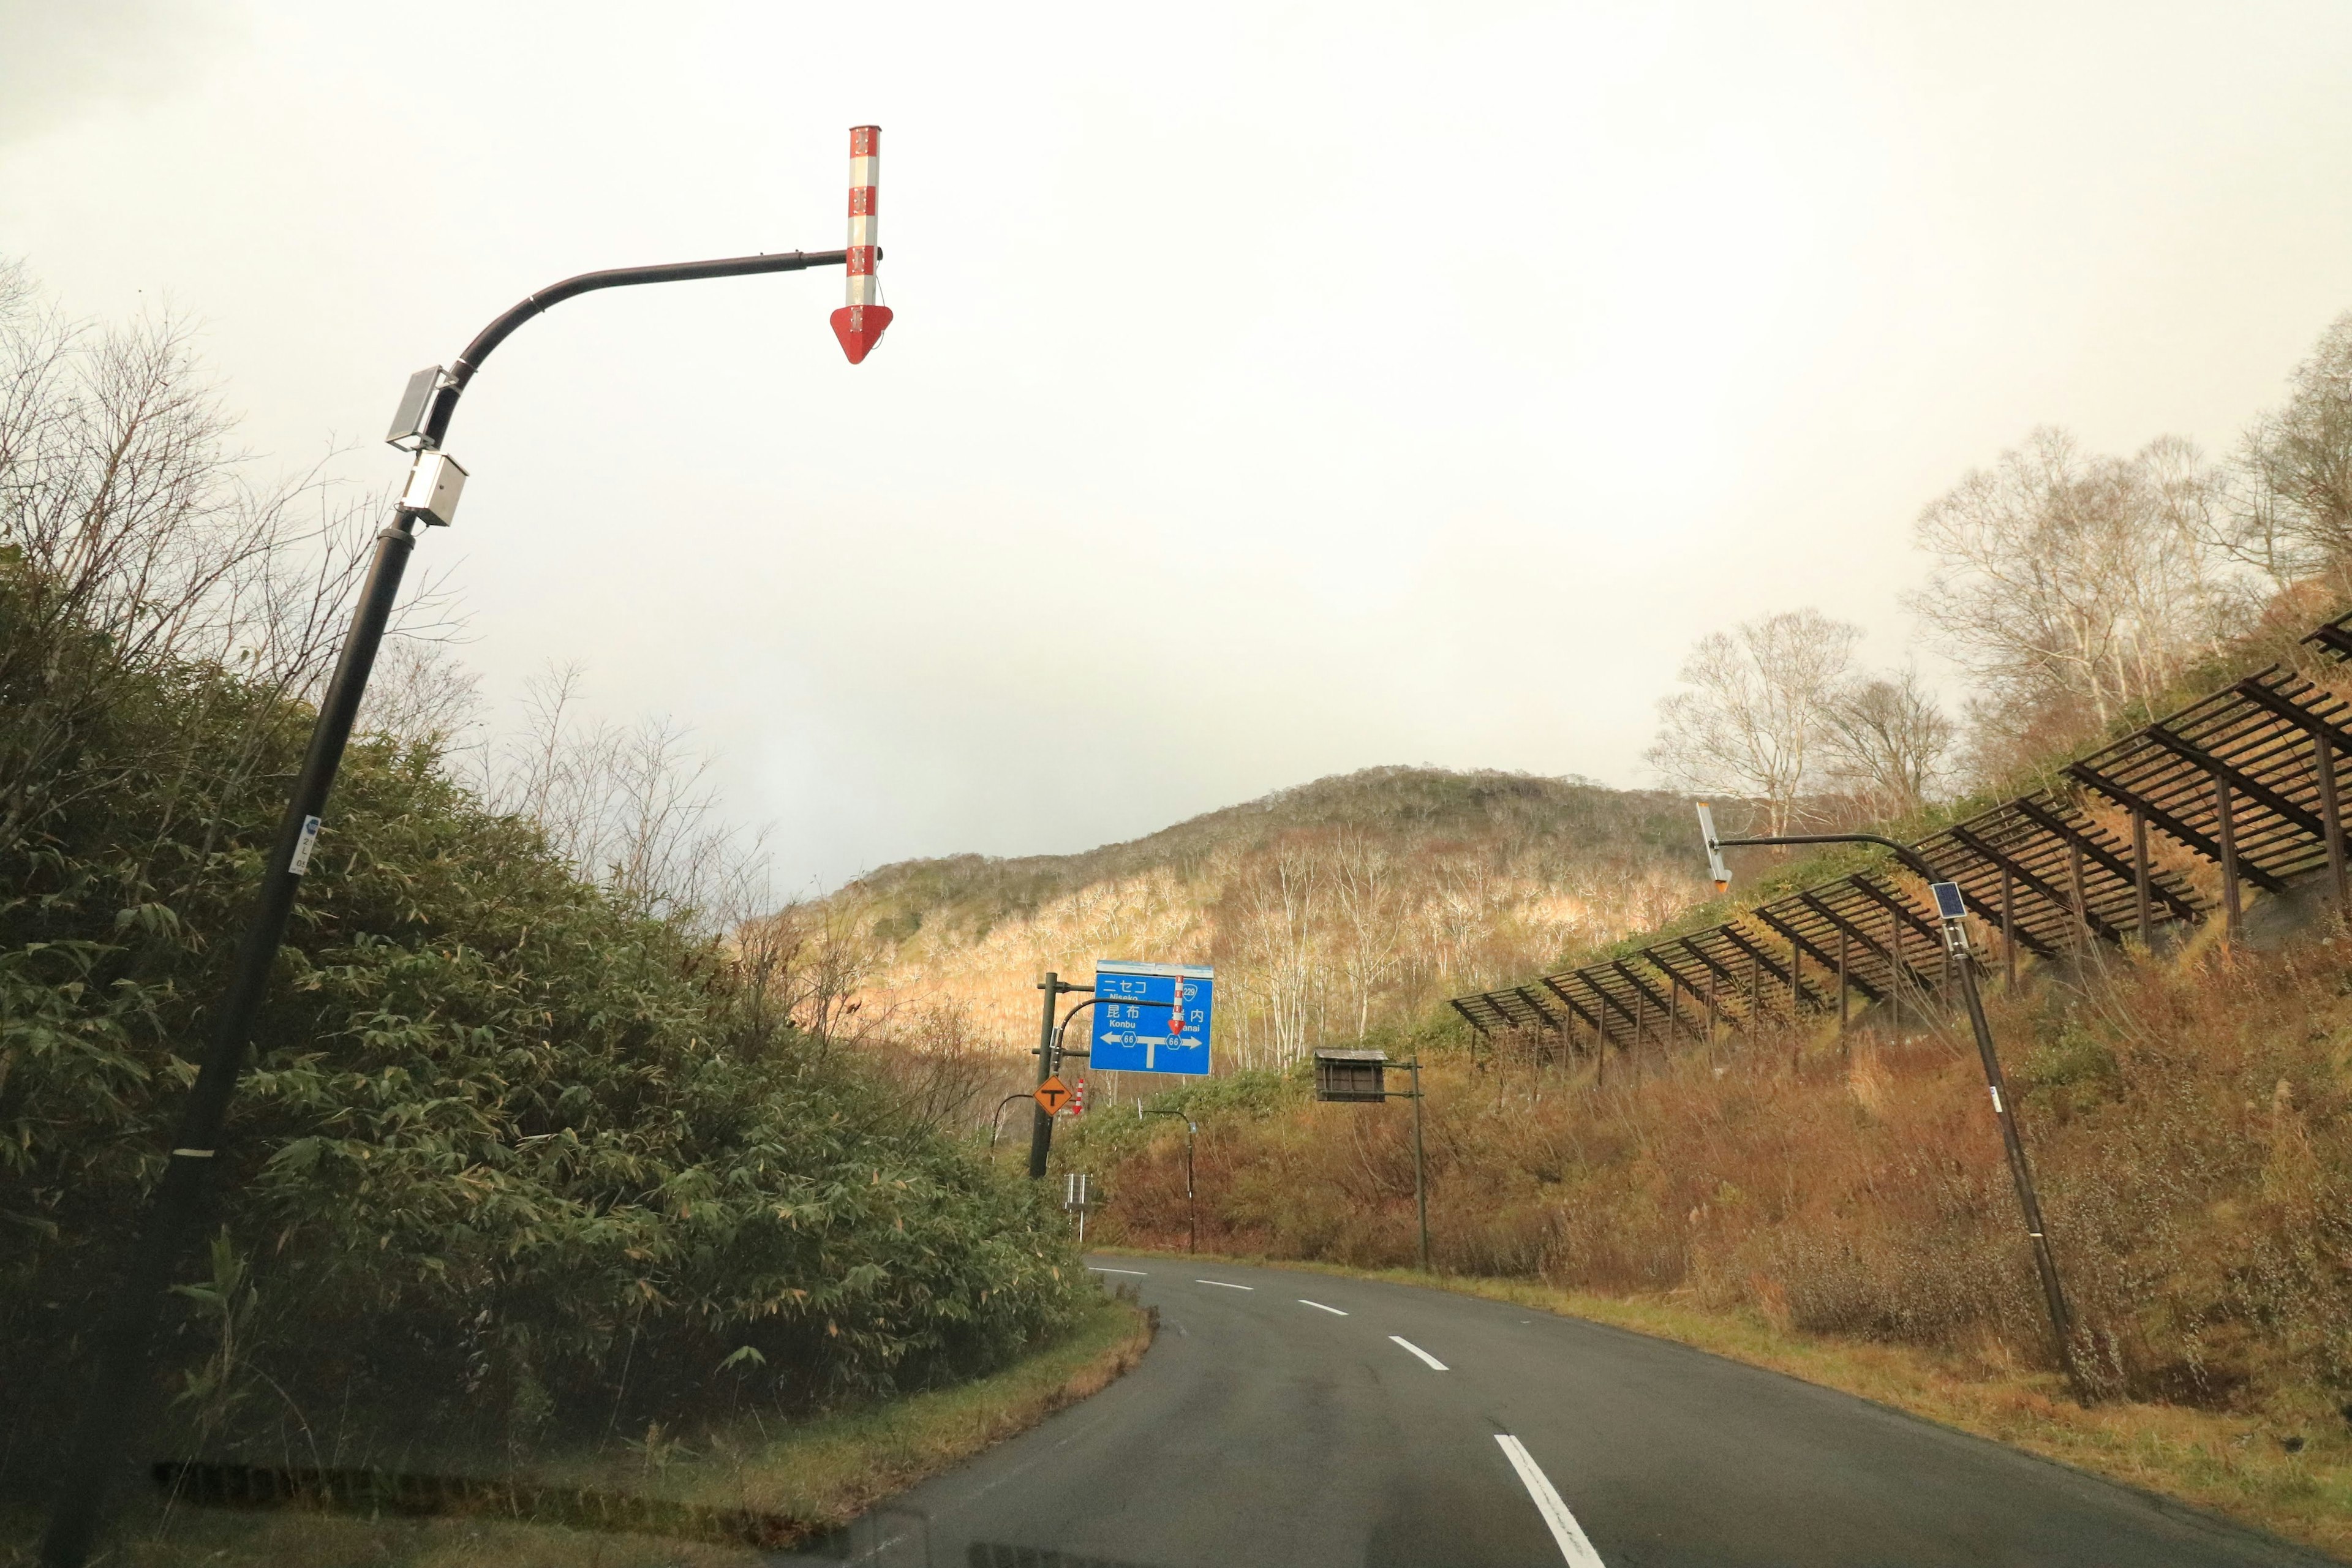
pixel 1328 909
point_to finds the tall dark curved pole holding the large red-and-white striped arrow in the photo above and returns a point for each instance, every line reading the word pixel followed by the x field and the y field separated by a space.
pixel 119 1391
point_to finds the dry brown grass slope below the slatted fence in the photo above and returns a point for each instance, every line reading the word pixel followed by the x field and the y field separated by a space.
pixel 2191 1123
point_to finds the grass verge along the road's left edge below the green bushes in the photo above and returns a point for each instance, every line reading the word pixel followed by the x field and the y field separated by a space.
pixel 815 1475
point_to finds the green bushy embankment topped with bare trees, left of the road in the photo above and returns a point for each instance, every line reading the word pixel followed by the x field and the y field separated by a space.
pixel 535 1153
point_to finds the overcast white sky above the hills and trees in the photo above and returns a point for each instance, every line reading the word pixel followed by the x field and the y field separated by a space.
pixel 1276 389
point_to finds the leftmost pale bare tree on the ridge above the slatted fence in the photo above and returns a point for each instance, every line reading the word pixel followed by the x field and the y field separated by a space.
pixel 1753 711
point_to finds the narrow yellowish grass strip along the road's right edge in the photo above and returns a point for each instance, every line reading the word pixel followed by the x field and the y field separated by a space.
pixel 2233 1466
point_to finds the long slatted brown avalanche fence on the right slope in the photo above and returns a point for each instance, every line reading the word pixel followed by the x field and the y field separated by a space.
pixel 2163 826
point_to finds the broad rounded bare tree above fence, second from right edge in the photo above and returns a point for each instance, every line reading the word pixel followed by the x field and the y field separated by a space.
pixel 2076 584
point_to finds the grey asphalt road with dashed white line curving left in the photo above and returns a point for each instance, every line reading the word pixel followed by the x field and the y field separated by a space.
pixel 1309 1421
